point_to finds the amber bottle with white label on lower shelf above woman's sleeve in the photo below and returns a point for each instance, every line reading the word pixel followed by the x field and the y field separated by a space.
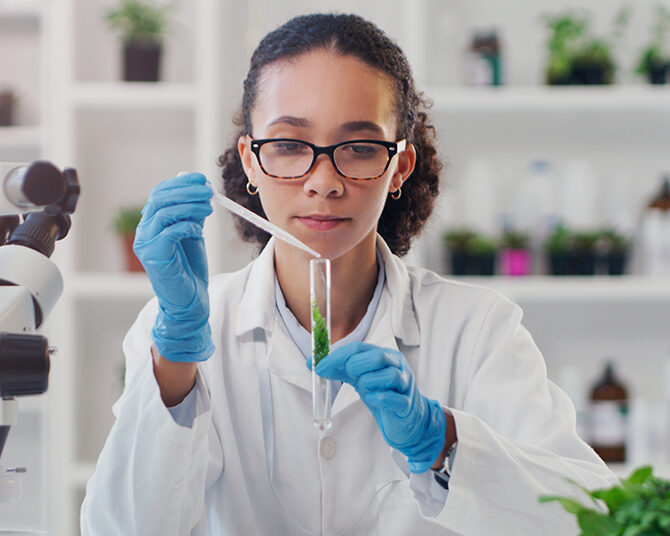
pixel 609 412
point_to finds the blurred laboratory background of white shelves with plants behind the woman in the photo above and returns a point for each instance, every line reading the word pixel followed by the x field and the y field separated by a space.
pixel 553 118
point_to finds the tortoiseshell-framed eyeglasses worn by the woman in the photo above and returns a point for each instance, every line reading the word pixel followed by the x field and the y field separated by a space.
pixel 286 158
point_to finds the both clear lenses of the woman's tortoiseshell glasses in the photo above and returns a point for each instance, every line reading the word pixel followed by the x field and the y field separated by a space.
pixel 293 158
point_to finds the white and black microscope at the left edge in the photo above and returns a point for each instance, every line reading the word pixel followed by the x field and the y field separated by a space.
pixel 36 201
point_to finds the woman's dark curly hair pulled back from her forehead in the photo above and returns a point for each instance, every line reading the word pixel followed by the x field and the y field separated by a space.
pixel 401 220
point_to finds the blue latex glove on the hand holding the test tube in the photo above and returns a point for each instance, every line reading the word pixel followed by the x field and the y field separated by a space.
pixel 409 421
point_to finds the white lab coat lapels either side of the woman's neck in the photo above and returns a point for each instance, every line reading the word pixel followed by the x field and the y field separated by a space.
pixel 258 309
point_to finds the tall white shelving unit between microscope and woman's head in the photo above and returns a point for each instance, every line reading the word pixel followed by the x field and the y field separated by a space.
pixel 123 138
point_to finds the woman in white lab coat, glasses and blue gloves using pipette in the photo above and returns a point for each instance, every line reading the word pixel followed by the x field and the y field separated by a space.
pixel 444 422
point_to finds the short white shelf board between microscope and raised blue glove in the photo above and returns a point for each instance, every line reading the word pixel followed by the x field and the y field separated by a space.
pixel 109 285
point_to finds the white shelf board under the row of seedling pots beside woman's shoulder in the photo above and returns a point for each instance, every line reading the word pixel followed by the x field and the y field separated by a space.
pixel 600 289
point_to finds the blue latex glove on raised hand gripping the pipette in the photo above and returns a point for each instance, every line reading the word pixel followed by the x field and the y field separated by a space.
pixel 169 244
